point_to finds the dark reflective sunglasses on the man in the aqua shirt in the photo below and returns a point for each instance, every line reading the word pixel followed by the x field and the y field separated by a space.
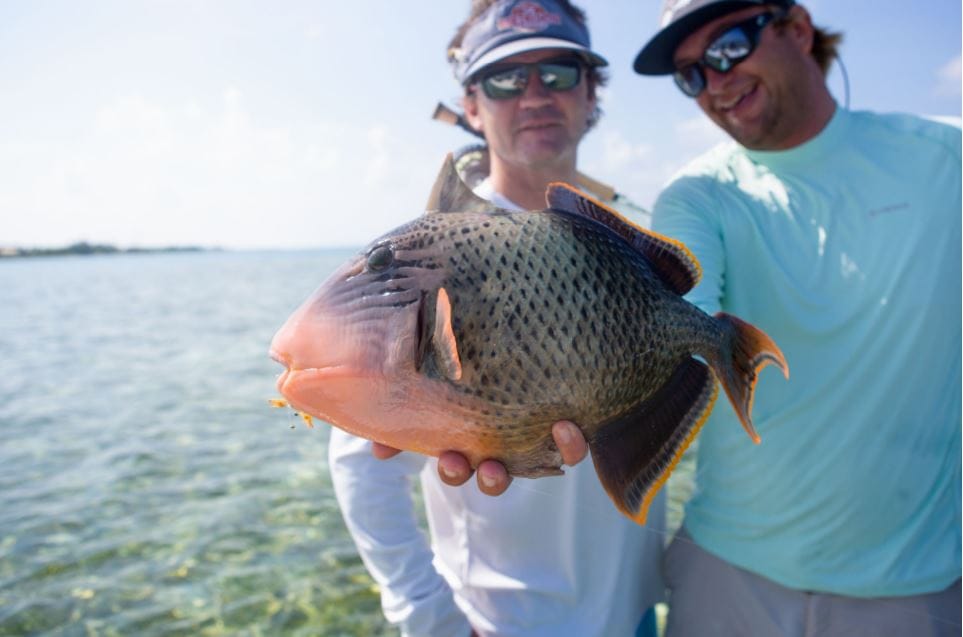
pixel 724 53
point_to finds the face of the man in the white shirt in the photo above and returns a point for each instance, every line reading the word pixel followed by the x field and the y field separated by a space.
pixel 540 129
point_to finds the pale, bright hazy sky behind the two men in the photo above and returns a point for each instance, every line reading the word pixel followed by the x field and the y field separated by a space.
pixel 295 124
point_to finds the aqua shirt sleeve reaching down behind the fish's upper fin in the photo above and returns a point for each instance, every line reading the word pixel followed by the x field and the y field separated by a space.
pixel 685 211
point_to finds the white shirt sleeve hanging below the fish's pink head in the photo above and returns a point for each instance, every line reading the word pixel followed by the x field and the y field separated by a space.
pixel 376 502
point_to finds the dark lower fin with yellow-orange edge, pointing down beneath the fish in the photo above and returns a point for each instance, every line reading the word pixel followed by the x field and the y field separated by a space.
pixel 634 453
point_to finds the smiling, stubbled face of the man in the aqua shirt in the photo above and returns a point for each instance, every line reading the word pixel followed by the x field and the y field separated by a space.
pixel 776 98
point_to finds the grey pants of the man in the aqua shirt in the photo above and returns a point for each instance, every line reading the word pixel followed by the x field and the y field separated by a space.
pixel 711 598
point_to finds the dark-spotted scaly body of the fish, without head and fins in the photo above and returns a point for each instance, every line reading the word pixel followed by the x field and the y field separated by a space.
pixel 554 316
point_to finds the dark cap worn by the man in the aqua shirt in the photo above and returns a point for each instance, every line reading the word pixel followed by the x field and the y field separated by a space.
pixel 678 20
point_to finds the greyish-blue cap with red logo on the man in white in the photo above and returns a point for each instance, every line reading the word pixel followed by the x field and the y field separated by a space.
pixel 509 27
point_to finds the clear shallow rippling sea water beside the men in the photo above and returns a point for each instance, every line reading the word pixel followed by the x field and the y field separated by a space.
pixel 146 487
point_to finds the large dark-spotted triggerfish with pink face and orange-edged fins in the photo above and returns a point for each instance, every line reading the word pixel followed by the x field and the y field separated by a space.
pixel 474 329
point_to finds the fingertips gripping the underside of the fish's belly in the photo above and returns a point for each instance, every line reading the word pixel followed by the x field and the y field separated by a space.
pixel 493 479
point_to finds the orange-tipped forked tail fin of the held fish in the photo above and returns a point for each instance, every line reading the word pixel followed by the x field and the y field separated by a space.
pixel 744 353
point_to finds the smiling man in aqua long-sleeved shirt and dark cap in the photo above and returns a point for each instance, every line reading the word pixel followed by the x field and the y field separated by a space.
pixel 838 233
